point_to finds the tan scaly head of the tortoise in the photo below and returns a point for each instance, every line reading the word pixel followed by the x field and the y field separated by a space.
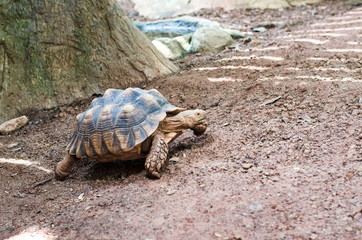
pixel 195 120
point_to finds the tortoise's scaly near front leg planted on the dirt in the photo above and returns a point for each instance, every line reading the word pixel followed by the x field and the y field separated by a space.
pixel 157 158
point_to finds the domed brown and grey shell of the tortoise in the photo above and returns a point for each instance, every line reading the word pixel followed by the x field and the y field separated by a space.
pixel 118 121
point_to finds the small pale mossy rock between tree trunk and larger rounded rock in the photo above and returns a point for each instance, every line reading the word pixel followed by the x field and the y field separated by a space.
pixel 170 48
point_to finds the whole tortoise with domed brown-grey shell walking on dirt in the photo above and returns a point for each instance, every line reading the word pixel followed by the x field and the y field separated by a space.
pixel 129 124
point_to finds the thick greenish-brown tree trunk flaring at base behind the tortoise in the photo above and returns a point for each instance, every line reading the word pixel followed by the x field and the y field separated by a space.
pixel 53 52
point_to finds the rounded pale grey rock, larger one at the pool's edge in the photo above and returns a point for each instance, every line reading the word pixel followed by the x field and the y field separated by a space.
pixel 210 39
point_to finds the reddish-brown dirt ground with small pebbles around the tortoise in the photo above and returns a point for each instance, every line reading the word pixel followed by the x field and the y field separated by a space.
pixel 281 158
